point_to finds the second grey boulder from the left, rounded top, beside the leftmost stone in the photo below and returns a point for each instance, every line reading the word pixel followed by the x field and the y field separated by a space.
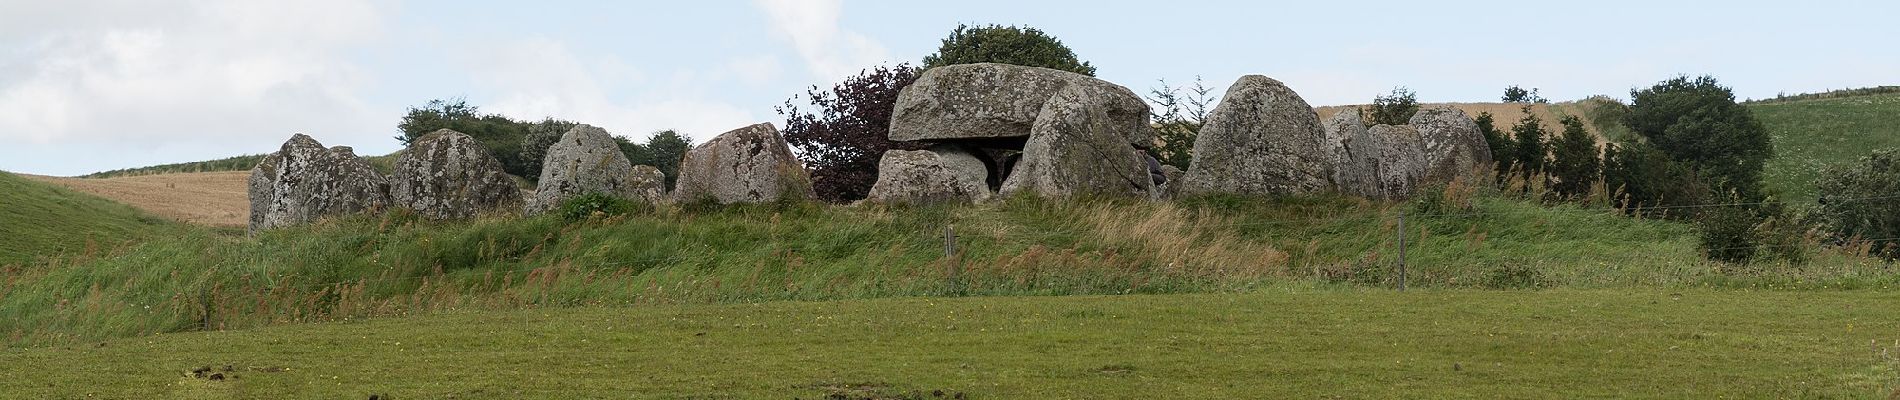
pixel 449 175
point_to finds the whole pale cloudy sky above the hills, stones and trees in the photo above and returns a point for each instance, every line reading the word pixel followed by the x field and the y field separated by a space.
pixel 107 84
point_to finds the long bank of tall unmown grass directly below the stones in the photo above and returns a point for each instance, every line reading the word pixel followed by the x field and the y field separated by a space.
pixel 396 264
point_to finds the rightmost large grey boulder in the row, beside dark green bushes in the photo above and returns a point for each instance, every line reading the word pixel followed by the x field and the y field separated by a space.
pixel 1453 145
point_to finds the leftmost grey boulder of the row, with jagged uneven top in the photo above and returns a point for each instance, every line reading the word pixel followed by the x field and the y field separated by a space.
pixel 303 183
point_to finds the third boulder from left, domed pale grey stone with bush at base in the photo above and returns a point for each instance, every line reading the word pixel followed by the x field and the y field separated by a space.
pixel 584 162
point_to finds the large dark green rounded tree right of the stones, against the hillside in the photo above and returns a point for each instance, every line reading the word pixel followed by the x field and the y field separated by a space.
pixel 1700 124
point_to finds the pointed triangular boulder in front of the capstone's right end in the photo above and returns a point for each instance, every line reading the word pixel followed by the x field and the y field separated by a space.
pixel 1076 151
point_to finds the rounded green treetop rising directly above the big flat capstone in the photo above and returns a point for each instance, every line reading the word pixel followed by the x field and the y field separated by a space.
pixel 1010 46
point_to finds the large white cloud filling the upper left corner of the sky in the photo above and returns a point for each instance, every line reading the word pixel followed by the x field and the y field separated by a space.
pixel 161 73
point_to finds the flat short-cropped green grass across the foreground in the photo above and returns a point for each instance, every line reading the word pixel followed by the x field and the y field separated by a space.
pixel 1270 344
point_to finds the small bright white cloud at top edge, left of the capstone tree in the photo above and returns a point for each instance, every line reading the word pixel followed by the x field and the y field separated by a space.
pixel 829 50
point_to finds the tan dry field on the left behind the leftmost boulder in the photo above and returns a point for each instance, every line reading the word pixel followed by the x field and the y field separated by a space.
pixel 197 198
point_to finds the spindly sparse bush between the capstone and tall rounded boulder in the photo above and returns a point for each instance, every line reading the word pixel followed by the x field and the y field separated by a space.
pixel 1179 122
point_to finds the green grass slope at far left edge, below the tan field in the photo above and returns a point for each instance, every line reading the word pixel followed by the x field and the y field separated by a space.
pixel 48 221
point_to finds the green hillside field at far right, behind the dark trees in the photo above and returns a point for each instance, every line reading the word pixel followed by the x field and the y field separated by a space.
pixel 1812 136
